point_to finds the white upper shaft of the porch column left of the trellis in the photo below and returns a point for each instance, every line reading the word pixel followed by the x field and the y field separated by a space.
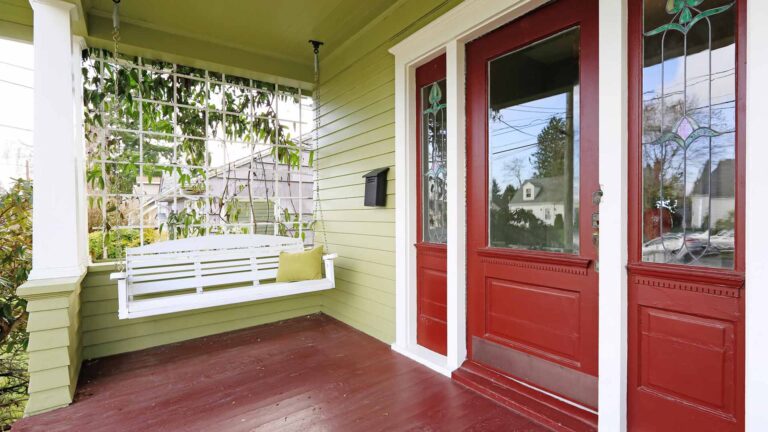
pixel 58 236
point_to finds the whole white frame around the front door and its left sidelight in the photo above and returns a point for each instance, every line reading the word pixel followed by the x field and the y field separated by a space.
pixel 448 34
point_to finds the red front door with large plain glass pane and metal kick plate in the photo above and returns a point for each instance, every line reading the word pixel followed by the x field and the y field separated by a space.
pixel 532 107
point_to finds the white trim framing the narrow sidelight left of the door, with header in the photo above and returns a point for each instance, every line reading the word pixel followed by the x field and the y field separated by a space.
pixel 447 34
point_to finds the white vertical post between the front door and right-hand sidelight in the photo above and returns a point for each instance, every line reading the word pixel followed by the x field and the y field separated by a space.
pixel 612 379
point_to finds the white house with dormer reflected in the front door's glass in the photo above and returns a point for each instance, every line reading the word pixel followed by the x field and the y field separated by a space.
pixel 541 196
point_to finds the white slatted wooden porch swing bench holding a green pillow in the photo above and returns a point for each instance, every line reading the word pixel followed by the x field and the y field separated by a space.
pixel 203 272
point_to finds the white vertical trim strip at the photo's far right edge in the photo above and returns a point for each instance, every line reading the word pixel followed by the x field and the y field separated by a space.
pixel 756 417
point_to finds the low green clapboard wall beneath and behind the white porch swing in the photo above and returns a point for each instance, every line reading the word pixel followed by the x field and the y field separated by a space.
pixel 103 334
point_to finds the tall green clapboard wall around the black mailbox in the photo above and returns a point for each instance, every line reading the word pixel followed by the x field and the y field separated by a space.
pixel 357 135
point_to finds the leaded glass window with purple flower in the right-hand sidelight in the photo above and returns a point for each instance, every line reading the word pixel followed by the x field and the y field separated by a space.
pixel 689 132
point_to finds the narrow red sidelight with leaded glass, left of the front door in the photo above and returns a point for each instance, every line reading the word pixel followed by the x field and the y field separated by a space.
pixel 431 282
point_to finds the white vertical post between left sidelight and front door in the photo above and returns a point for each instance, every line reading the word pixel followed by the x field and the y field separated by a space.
pixel 457 200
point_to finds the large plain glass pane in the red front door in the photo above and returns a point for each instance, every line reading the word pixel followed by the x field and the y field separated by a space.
pixel 533 154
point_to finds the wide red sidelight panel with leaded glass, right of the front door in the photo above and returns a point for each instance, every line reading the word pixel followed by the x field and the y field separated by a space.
pixel 686 269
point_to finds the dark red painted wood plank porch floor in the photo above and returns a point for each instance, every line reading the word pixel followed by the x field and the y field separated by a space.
pixel 309 374
